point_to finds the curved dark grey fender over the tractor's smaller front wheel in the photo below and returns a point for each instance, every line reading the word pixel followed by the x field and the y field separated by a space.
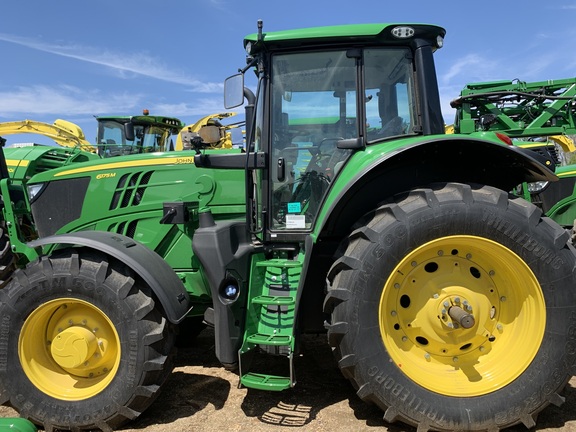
pixel 161 278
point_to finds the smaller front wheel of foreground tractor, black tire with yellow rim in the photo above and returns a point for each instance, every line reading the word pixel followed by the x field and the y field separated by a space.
pixel 83 345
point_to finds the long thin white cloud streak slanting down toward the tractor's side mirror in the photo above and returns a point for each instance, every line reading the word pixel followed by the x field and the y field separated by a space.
pixel 124 63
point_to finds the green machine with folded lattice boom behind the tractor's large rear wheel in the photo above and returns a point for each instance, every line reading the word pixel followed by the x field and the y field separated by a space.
pixel 537 115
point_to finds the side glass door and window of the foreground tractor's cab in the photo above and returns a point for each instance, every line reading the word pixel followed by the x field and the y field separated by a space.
pixel 315 103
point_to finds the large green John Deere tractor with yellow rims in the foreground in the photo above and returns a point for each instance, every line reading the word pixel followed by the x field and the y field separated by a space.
pixel 449 302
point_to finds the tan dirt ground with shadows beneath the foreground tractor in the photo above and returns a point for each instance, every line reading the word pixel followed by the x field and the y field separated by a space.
pixel 202 396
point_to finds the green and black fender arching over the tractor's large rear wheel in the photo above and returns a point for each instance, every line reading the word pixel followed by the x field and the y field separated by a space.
pixel 366 181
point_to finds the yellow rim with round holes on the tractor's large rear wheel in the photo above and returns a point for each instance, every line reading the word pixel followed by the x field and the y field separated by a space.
pixel 462 316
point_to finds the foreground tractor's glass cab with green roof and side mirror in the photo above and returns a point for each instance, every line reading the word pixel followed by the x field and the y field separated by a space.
pixel 317 103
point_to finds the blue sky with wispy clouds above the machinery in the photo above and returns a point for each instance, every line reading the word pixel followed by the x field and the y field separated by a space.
pixel 74 59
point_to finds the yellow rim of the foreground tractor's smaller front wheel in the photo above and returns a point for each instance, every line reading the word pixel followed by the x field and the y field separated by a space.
pixel 69 349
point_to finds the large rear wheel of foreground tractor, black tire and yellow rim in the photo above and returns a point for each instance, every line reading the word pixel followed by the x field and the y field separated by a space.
pixel 454 308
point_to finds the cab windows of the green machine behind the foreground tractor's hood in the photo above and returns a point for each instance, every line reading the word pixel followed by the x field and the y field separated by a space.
pixel 112 139
